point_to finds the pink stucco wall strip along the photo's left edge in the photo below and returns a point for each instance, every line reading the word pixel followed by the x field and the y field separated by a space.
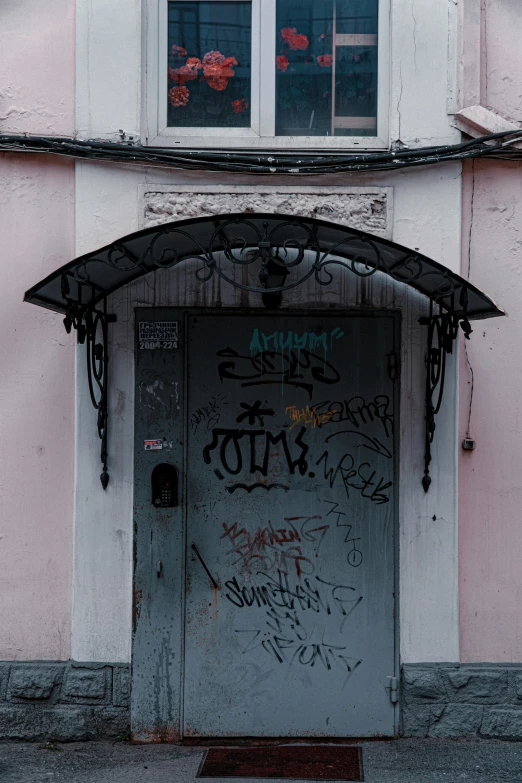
pixel 36 357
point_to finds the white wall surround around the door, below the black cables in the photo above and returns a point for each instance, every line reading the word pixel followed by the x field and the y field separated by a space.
pixel 421 210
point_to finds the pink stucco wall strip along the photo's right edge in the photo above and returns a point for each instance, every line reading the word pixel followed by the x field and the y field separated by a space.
pixel 490 479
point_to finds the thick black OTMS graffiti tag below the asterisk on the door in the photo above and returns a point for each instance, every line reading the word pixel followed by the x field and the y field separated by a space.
pixel 254 449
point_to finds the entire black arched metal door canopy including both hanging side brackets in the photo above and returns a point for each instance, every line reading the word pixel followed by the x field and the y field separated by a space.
pixel 280 252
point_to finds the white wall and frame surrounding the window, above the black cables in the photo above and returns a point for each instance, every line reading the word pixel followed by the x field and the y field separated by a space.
pixel 112 93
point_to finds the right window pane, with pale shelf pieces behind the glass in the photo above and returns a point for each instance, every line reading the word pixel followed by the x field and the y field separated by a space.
pixel 326 67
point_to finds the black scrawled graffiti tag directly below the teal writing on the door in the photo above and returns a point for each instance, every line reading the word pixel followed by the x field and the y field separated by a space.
pixel 299 369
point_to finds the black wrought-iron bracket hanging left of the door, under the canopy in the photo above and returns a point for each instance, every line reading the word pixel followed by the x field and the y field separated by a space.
pixel 91 326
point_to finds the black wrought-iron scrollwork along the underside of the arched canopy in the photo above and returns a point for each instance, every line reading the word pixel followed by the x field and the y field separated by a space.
pixel 279 262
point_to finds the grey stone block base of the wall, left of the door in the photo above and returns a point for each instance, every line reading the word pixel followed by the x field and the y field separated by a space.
pixel 64 701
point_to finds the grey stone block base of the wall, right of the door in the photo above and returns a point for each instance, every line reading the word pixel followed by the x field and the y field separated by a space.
pixel 462 700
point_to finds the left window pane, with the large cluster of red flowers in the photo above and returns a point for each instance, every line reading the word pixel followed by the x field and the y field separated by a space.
pixel 209 64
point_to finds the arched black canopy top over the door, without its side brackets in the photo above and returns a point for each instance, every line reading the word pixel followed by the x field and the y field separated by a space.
pixel 281 252
